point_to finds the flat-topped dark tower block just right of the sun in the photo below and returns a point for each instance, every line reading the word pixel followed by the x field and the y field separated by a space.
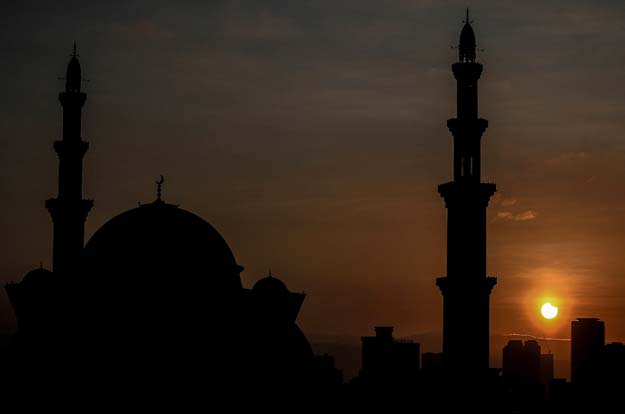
pixel 587 344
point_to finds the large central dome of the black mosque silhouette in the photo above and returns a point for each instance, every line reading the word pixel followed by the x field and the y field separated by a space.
pixel 159 243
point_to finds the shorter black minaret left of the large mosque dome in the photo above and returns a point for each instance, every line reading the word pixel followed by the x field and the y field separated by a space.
pixel 68 209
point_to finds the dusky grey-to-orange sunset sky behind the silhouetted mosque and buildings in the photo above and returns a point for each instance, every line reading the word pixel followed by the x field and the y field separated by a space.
pixel 312 135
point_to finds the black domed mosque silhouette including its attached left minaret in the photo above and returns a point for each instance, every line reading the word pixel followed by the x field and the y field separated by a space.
pixel 154 298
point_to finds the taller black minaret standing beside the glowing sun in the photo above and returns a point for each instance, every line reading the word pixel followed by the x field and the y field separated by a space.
pixel 466 288
